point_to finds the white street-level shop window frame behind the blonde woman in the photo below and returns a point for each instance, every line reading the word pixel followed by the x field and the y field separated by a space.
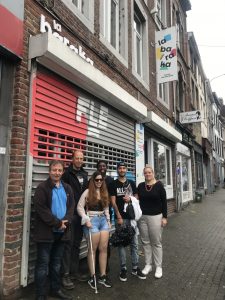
pixel 168 187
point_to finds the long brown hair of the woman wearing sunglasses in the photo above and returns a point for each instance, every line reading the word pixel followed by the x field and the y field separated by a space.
pixel 92 195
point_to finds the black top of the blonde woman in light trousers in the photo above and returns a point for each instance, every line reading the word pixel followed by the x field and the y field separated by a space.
pixel 152 199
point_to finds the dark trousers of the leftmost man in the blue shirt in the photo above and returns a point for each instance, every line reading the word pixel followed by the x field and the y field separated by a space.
pixel 49 257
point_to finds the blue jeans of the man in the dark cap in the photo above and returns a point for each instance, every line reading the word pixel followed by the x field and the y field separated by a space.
pixel 133 250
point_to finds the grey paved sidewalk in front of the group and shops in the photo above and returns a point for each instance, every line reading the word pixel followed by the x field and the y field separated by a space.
pixel 194 260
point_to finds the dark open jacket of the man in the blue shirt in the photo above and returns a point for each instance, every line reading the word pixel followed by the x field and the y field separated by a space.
pixel 45 221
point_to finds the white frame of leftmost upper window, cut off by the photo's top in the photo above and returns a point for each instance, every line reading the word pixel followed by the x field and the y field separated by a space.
pixel 86 19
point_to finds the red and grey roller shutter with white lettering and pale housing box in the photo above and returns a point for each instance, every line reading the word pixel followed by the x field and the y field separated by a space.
pixel 73 106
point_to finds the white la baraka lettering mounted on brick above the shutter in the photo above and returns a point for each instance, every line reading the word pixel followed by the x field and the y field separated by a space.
pixel 57 29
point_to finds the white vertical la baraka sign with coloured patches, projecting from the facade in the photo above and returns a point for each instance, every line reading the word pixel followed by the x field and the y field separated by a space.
pixel 166 55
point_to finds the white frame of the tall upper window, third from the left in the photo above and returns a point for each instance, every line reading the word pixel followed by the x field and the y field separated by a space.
pixel 143 77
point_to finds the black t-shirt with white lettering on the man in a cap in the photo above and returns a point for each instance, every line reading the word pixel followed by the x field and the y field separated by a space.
pixel 120 189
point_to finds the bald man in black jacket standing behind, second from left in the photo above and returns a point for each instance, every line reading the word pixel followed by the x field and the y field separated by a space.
pixel 77 178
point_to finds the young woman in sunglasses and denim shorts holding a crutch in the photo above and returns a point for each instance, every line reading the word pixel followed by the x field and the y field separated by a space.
pixel 93 207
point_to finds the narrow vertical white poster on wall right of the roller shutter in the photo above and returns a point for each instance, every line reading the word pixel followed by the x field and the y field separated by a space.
pixel 140 157
